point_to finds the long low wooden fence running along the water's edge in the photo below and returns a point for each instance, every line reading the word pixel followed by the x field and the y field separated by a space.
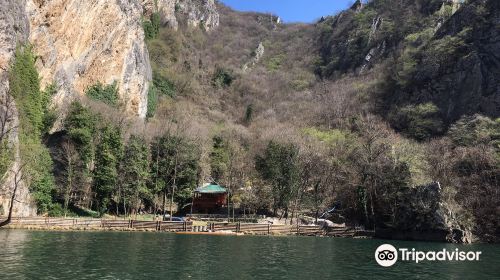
pixel 164 226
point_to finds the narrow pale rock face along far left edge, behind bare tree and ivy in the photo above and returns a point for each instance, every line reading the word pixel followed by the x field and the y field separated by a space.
pixel 14 28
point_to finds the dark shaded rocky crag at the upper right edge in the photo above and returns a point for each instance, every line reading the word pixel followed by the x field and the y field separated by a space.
pixel 459 70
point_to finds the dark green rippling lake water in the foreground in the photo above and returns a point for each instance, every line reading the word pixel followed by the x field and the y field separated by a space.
pixel 126 255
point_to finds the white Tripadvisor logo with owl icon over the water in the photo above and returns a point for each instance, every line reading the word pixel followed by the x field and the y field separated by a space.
pixel 387 255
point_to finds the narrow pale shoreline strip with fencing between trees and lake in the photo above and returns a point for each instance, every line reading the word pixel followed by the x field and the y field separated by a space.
pixel 186 227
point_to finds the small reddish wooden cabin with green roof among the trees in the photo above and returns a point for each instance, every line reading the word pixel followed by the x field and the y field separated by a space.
pixel 209 199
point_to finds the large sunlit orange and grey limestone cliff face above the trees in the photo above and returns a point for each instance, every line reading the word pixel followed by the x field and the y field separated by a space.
pixel 81 43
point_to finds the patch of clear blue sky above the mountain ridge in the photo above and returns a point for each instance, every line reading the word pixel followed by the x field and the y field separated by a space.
pixel 292 10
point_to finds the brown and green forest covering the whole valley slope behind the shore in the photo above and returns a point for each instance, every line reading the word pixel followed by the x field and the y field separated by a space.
pixel 362 111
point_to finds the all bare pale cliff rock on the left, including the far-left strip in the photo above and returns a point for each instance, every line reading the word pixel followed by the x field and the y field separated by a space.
pixel 81 43
